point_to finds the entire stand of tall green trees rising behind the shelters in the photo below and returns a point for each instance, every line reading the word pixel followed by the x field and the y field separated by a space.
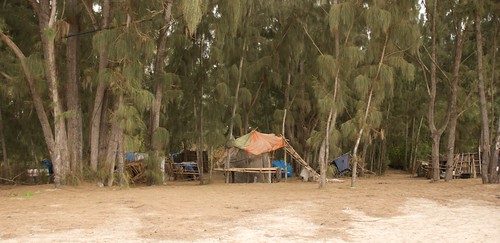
pixel 82 82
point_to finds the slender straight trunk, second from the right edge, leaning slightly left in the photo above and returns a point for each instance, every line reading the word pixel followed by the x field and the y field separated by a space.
pixel 485 138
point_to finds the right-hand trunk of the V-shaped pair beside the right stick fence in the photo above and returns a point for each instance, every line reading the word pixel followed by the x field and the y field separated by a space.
pixel 459 43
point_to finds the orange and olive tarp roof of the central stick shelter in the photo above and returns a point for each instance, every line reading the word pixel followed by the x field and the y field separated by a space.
pixel 258 143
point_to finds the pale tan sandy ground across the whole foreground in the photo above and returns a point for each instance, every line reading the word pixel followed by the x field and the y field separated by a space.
pixel 391 208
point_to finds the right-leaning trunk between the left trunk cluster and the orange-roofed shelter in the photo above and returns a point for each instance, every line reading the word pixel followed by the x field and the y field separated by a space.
pixel 161 53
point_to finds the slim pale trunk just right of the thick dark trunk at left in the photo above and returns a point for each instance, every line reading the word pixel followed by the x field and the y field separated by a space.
pixel 95 119
